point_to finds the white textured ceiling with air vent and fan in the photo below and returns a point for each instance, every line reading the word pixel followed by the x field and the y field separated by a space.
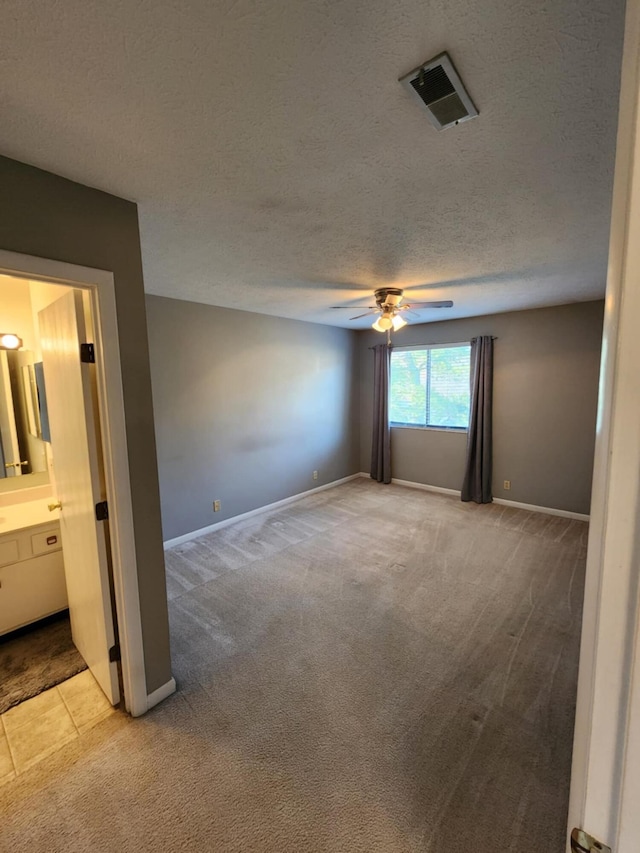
pixel 280 167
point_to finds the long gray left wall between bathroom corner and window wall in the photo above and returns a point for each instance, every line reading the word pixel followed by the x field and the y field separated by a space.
pixel 246 408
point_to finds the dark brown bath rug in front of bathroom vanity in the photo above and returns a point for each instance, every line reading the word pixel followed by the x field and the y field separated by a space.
pixel 36 658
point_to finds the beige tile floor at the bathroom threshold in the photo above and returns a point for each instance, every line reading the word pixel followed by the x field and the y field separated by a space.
pixel 36 728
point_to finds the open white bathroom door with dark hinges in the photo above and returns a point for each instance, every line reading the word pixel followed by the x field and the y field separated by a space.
pixel 77 479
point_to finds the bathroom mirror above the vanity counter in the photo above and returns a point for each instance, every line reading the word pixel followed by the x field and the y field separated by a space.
pixel 23 454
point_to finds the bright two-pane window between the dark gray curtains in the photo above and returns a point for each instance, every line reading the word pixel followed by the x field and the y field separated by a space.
pixel 430 386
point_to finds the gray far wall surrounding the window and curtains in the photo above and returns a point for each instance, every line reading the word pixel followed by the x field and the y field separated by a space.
pixel 545 399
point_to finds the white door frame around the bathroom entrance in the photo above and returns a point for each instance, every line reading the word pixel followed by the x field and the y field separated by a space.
pixel 101 287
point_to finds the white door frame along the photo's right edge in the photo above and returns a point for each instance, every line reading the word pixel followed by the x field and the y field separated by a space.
pixel 605 778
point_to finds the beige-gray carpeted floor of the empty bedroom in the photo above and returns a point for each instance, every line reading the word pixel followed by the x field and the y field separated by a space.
pixel 371 669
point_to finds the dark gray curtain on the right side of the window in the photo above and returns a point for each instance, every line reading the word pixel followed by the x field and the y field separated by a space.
pixel 477 478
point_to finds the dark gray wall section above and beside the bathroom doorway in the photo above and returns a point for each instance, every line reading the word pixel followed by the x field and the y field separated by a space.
pixel 45 215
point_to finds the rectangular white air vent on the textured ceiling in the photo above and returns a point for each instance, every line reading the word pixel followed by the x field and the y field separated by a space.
pixel 436 85
